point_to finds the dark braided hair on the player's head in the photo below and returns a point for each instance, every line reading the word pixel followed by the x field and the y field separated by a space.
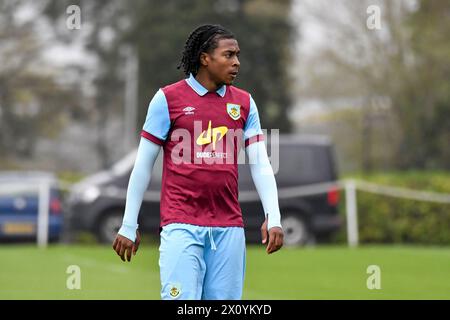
pixel 204 38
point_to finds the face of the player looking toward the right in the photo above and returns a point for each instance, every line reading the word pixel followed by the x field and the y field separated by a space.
pixel 223 62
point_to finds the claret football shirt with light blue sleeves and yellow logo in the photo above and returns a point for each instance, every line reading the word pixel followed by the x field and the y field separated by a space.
pixel 201 134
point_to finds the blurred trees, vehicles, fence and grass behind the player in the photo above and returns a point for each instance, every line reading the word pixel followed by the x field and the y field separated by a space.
pixel 366 82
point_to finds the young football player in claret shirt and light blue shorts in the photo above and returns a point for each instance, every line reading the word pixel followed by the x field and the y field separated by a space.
pixel 201 123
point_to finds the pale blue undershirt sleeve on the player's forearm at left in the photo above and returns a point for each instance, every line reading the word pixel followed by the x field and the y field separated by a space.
pixel 139 180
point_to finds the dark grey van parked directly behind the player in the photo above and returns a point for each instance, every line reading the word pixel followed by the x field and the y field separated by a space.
pixel 97 203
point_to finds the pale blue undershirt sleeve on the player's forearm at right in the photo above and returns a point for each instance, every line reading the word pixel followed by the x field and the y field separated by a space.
pixel 265 183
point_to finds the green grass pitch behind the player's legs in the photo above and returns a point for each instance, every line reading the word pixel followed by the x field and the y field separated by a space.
pixel 322 272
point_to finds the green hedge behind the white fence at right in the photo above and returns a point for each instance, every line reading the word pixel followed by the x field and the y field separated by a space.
pixel 383 219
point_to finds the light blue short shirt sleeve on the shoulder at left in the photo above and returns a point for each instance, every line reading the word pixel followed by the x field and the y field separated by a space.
pixel 157 122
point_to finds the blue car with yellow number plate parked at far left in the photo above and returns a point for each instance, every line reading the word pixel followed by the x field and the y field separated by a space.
pixel 19 206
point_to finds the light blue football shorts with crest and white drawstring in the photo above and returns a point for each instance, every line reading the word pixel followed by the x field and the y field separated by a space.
pixel 205 263
